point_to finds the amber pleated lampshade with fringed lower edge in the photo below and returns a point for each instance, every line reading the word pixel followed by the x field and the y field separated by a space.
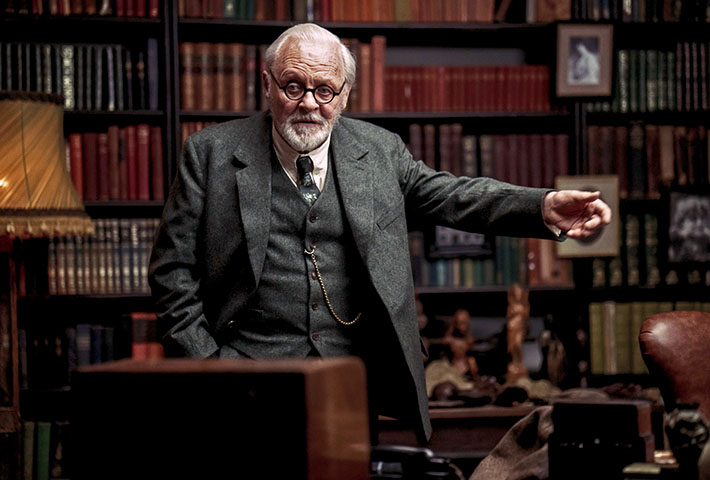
pixel 37 197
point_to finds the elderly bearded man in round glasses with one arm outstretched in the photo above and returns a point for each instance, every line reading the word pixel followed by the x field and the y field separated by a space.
pixel 285 234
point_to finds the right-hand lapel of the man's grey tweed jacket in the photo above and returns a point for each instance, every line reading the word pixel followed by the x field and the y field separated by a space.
pixel 353 172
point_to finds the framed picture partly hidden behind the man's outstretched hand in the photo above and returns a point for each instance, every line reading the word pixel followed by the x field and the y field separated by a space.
pixel 605 242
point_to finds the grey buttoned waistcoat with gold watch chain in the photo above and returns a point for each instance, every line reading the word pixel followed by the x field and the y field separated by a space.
pixel 288 315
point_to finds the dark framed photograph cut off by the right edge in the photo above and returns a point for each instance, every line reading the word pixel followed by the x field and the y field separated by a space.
pixel 689 227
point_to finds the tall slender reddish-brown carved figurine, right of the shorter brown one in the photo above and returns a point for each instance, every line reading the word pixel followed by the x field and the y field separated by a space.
pixel 516 326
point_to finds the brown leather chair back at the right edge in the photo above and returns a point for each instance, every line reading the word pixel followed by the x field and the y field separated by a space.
pixel 676 349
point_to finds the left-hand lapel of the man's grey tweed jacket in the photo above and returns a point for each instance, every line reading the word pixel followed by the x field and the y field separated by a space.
pixel 252 159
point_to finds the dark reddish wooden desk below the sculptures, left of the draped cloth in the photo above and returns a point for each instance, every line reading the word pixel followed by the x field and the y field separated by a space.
pixel 464 435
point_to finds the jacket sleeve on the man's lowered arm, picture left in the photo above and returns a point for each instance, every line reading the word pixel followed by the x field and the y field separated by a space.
pixel 174 272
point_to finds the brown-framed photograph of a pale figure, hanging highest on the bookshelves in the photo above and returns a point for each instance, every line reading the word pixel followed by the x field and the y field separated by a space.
pixel 584 60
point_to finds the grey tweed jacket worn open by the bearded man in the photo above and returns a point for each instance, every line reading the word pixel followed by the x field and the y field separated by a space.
pixel 209 252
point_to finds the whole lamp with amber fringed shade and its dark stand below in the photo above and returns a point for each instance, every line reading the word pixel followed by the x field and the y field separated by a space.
pixel 37 199
